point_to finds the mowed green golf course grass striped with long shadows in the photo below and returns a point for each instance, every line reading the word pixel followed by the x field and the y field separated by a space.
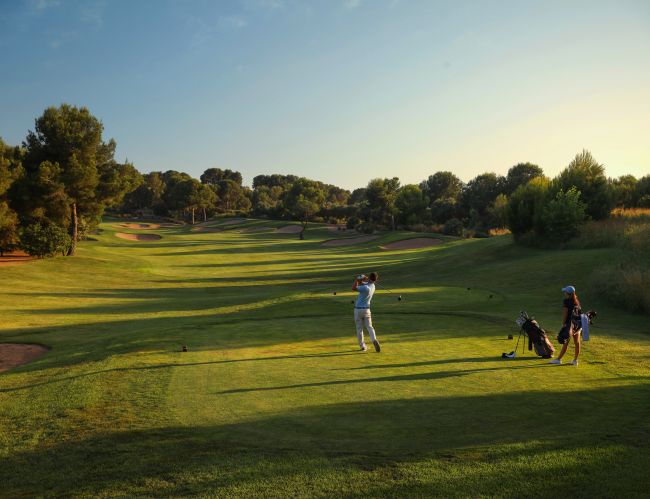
pixel 273 397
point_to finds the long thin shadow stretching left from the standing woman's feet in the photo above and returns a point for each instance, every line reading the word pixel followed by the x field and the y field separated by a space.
pixel 404 377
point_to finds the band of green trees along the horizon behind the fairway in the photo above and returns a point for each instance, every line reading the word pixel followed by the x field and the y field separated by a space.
pixel 55 187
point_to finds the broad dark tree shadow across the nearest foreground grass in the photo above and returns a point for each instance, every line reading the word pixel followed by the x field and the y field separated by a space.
pixel 463 446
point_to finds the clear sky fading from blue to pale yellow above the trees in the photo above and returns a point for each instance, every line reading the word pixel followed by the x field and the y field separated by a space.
pixel 340 90
